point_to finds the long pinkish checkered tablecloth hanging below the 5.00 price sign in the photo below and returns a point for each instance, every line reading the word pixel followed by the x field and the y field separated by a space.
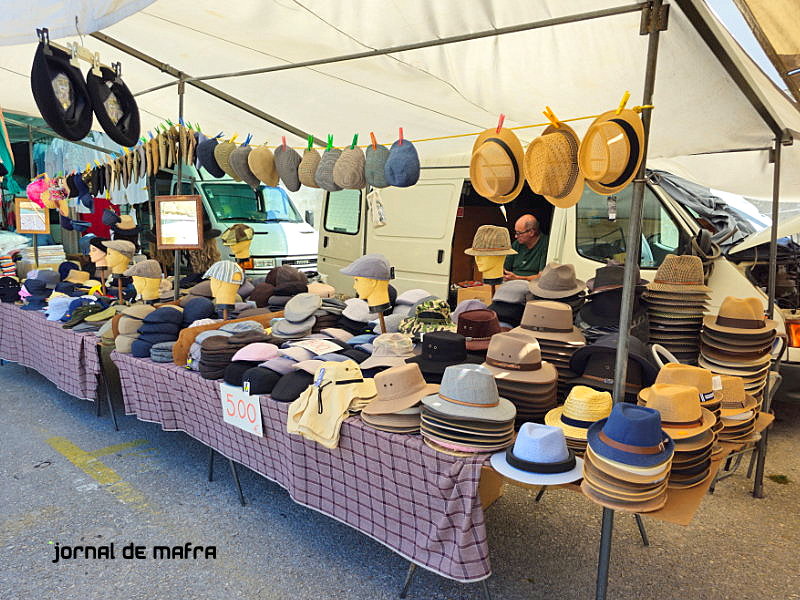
pixel 420 503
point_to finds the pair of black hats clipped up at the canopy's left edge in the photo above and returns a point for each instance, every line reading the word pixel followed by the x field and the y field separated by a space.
pixel 66 100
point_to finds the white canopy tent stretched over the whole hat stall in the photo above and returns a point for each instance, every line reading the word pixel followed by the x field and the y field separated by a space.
pixel 578 69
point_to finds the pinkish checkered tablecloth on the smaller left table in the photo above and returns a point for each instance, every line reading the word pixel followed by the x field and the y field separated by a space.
pixel 66 358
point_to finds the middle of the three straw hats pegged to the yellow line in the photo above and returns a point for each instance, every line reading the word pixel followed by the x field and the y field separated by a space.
pixel 551 166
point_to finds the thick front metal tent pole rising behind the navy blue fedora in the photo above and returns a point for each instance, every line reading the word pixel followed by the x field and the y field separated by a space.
pixel 654 20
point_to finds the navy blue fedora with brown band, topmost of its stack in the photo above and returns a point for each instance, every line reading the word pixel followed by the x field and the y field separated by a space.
pixel 631 435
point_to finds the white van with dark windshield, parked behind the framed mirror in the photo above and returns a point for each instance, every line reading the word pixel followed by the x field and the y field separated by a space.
pixel 282 235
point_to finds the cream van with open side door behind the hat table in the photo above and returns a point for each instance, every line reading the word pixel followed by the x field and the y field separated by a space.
pixel 428 227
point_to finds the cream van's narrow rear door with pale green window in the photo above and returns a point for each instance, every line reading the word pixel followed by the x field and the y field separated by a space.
pixel 341 237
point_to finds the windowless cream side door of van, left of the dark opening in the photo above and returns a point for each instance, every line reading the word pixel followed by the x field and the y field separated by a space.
pixel 418 233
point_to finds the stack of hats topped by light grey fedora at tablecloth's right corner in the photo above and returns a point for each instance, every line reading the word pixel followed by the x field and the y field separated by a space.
pixel 467 415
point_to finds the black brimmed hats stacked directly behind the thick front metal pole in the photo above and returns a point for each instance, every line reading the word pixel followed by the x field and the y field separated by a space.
pixel 595 365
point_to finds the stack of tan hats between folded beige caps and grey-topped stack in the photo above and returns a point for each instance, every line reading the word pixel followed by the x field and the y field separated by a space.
pixel 396 407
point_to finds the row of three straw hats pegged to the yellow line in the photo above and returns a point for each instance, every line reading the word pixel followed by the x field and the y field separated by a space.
pixel 557 163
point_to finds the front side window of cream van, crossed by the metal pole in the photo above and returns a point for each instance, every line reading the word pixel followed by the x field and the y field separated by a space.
pixel 602 226
